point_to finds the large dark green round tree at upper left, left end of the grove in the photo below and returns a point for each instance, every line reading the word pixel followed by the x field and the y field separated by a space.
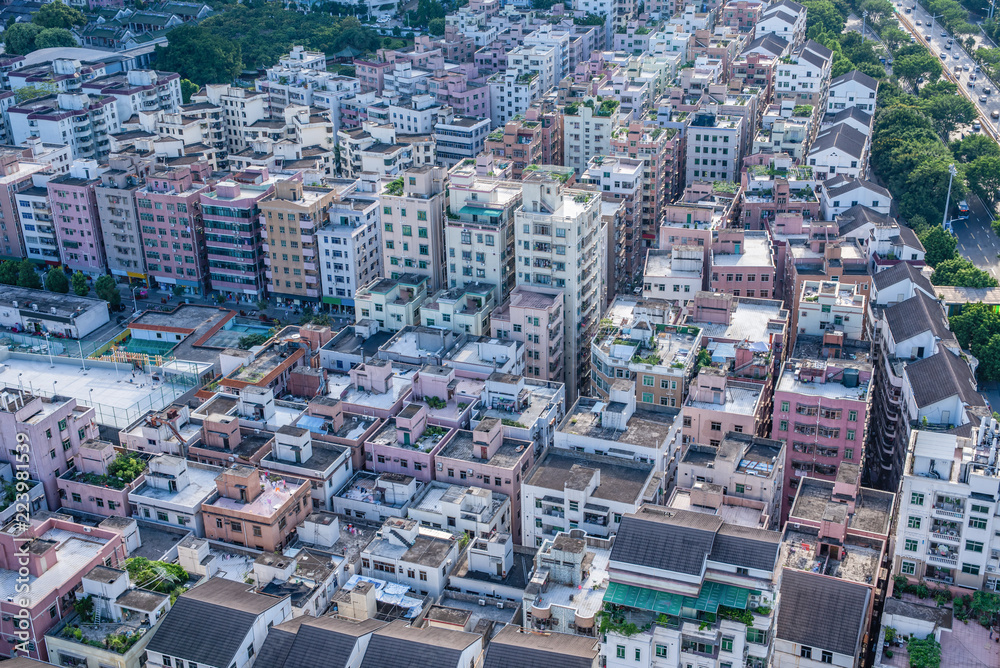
pixel 200 56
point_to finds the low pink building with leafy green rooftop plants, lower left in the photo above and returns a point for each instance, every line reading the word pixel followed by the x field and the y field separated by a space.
pixel 94 484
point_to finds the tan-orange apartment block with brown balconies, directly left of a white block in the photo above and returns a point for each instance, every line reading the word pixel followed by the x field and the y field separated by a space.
pixel 291 218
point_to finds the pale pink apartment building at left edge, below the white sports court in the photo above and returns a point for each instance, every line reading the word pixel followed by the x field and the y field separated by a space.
pixel 52 428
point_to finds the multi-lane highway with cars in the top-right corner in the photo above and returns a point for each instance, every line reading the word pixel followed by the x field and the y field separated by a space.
pixel 933 35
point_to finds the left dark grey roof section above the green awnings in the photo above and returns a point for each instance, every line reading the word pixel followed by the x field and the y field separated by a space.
pixel 670 540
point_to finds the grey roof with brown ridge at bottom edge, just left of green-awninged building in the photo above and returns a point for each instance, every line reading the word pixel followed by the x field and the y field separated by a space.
pixel 515 647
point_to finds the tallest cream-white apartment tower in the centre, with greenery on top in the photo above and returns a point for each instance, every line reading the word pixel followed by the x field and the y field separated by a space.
pixel 558 240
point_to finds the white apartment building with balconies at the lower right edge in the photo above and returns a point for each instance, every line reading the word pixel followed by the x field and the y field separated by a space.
pixel 947 531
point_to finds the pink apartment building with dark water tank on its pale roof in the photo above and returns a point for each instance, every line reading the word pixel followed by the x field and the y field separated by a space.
pixel 821 413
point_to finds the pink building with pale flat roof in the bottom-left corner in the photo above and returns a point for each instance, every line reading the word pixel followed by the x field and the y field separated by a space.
pixel 58 554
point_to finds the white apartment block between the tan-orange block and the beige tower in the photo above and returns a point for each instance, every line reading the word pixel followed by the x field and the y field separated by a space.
pixel 350 250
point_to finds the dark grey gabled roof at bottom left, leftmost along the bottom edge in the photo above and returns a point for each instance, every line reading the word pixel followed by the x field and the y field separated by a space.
pixel 232 606
